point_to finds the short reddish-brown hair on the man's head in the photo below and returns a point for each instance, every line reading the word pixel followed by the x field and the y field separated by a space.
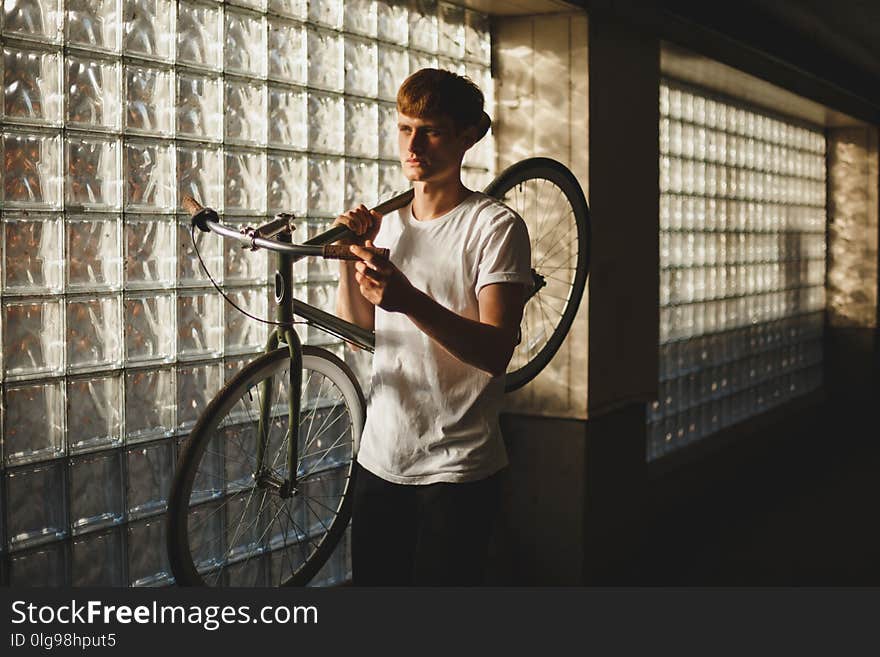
pixel 434 93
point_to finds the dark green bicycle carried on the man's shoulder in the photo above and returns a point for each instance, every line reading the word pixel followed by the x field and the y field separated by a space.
pixel 259 500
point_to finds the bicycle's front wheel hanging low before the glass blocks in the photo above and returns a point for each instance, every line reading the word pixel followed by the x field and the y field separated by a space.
pixel 228 522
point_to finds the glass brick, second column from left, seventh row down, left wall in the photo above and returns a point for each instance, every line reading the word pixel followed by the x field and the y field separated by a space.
pixel 96 491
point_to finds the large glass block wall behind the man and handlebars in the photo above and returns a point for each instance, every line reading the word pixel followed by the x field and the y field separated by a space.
pixel 112 338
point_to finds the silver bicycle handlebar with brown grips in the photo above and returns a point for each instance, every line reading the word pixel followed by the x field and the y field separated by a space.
pixel 206 219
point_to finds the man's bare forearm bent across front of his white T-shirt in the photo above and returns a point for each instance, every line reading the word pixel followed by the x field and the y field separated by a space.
pixel 475 343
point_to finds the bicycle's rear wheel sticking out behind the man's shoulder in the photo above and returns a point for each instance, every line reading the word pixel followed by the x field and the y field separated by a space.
pixel 550 200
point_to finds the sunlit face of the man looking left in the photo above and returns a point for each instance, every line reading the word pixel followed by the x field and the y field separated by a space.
pixel 431 149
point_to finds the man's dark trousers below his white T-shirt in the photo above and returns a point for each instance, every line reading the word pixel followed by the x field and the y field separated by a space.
pixel 421 535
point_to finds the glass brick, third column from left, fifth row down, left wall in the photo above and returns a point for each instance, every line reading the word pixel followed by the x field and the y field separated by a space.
pixel 149 333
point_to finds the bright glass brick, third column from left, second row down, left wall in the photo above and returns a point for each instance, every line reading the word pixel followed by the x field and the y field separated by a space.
pixel 149 104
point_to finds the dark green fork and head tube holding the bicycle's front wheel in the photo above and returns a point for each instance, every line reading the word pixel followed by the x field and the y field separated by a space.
pixel 265 475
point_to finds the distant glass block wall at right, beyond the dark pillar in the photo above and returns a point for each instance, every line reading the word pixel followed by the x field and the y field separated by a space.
pixel 742 264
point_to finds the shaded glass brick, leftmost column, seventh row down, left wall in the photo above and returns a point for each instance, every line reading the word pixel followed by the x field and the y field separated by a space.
pixel 36 505
